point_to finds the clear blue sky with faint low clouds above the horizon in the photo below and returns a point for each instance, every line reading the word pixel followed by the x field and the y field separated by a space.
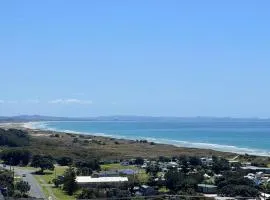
pixel 137 57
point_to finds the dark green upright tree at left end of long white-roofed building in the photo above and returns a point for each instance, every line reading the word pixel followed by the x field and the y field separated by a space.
pixel 69 182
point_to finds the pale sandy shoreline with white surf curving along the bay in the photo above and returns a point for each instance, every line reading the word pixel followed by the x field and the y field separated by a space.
pixel 178 144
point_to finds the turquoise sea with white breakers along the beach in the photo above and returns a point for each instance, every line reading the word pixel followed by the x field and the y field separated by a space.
pixel 251 137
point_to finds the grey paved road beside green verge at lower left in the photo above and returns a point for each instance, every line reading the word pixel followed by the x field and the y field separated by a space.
pixel 36 190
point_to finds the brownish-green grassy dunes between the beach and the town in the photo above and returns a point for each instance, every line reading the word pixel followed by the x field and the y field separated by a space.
pixel 106 148
